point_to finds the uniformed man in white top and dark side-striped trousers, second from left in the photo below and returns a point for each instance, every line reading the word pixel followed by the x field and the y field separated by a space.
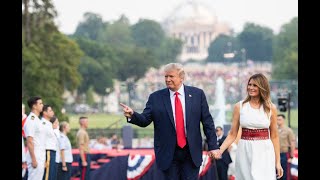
pixel 50 171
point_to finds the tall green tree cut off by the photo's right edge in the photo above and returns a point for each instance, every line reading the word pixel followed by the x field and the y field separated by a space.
pixel 285 61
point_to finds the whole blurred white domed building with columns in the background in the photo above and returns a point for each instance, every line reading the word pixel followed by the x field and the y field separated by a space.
pixel 196 25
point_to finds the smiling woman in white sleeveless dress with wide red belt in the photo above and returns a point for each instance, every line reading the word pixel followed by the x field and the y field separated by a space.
pixel 258 152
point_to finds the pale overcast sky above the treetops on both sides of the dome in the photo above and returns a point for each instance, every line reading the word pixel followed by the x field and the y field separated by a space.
pixel 270 13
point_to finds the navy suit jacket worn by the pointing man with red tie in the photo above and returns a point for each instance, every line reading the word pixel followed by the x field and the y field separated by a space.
pixel 159 111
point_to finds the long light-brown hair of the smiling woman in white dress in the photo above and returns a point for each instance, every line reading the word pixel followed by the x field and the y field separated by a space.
pixel 264 91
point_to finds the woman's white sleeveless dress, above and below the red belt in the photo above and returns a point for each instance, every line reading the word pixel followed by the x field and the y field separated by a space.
pixel 255 159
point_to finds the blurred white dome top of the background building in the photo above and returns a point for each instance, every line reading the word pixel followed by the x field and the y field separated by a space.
pixel 191 13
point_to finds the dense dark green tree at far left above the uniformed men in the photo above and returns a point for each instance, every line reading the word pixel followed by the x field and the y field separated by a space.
pixel 47 70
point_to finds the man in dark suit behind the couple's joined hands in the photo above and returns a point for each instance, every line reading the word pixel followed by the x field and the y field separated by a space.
pixel 223 163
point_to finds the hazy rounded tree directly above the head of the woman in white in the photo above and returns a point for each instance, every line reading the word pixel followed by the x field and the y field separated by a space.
pixel 257 41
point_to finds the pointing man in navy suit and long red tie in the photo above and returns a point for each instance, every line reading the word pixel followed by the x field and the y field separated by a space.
pixel 176 113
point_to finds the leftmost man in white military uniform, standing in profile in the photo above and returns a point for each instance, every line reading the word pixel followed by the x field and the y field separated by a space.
pixel 35 133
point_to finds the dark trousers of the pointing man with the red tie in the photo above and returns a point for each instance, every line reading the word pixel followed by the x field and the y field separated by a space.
pixel 182 166
